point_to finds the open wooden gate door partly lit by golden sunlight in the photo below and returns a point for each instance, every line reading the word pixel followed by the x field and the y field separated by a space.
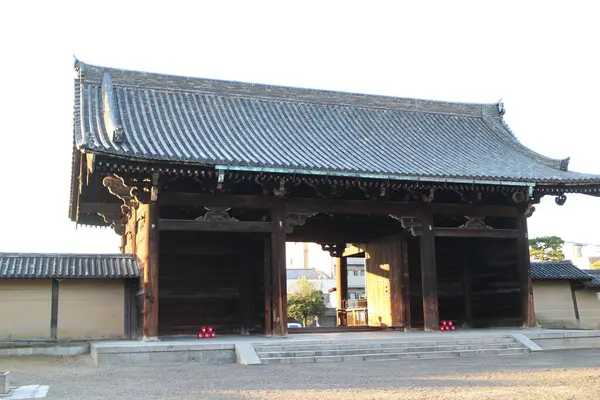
pixel 384 267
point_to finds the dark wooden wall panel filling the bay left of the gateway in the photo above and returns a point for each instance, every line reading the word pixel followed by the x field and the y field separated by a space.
pixel 223 290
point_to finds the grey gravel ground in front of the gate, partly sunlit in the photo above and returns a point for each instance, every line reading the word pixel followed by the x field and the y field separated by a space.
pixel 564 375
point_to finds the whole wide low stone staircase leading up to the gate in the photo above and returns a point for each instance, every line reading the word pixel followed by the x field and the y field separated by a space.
pixel 387 350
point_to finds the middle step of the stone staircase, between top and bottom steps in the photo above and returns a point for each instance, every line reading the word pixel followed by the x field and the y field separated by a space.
pixel 390 349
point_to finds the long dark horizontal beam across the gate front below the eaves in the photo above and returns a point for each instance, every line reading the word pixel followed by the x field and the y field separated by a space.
pixel 334 206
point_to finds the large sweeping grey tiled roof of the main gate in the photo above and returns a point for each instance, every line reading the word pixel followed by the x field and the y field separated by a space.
pixel 232 125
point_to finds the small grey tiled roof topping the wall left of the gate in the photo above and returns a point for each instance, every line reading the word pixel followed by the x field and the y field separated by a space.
pixel 67 266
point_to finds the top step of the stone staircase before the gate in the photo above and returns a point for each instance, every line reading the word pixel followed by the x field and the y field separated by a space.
pixel 300 346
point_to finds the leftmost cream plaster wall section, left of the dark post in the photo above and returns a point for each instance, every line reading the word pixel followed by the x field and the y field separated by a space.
pixel 25 309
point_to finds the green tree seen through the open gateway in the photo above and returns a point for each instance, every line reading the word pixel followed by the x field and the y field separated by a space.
pixel 305 302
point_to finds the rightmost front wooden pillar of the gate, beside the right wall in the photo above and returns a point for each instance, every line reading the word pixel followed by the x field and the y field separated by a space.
pixel 524 265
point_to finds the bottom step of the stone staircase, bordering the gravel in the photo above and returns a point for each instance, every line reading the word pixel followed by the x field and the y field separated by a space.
pixel 398 356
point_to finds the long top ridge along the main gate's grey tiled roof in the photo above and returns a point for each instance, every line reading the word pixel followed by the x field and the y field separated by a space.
pixel 89 73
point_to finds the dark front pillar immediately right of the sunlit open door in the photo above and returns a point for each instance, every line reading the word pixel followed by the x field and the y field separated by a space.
pixel 429 274
